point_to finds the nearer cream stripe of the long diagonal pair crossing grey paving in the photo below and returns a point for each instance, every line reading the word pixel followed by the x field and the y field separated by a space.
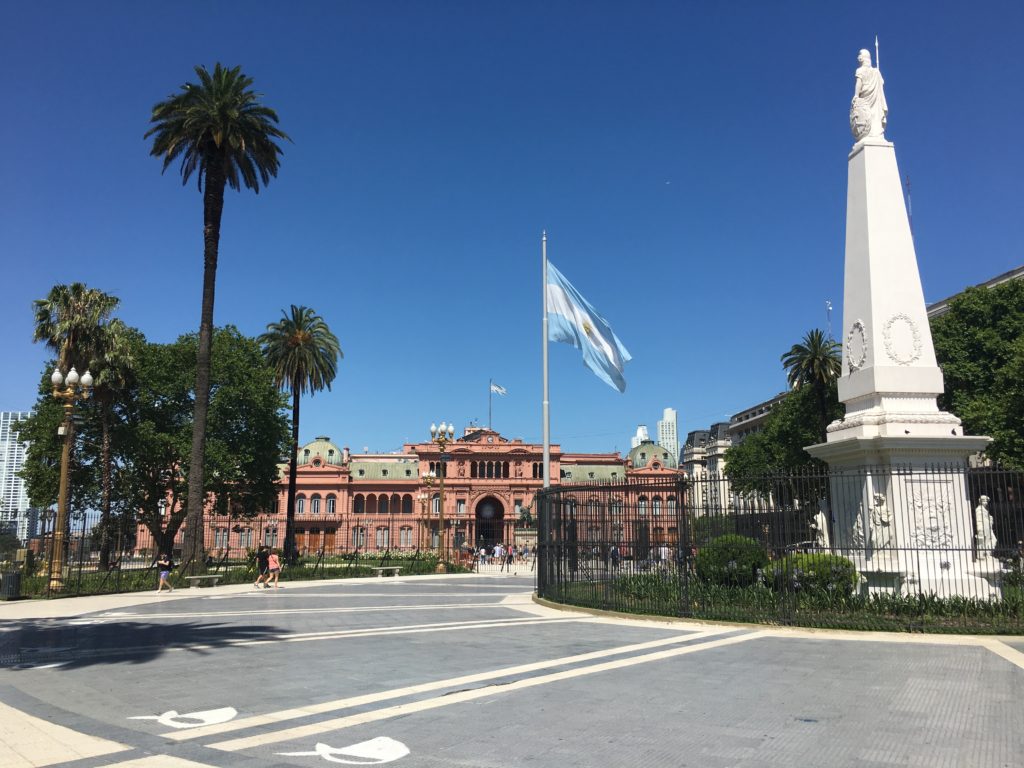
pixel 462 697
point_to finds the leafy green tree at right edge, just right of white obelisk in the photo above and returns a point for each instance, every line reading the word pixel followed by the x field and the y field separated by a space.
pixel 979 345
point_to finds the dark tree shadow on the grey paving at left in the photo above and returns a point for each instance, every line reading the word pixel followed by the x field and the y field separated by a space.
pixel 108 642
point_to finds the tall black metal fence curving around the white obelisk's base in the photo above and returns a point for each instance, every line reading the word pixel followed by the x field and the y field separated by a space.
pixel 938 549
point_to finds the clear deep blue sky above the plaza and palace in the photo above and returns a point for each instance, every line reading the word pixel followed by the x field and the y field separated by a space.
pixel 689 161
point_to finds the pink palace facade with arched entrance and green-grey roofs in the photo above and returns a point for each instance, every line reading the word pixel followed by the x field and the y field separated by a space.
pixel 348 502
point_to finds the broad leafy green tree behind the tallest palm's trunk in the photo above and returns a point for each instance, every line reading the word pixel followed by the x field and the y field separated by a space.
pixel 246 435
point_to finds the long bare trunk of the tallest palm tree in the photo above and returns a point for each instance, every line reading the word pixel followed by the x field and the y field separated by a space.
pixel 214 206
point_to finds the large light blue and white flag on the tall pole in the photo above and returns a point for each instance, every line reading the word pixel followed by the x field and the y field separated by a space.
pixel 572 320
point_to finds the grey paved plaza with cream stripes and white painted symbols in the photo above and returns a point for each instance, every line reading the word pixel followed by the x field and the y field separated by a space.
pixel 470 671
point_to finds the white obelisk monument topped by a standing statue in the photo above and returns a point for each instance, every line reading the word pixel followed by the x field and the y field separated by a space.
pixel 893 429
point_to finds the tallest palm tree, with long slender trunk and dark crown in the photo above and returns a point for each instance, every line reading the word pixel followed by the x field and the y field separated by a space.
pixel 226 138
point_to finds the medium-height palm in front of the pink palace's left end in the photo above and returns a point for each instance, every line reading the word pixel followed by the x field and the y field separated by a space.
pixel 304 354
